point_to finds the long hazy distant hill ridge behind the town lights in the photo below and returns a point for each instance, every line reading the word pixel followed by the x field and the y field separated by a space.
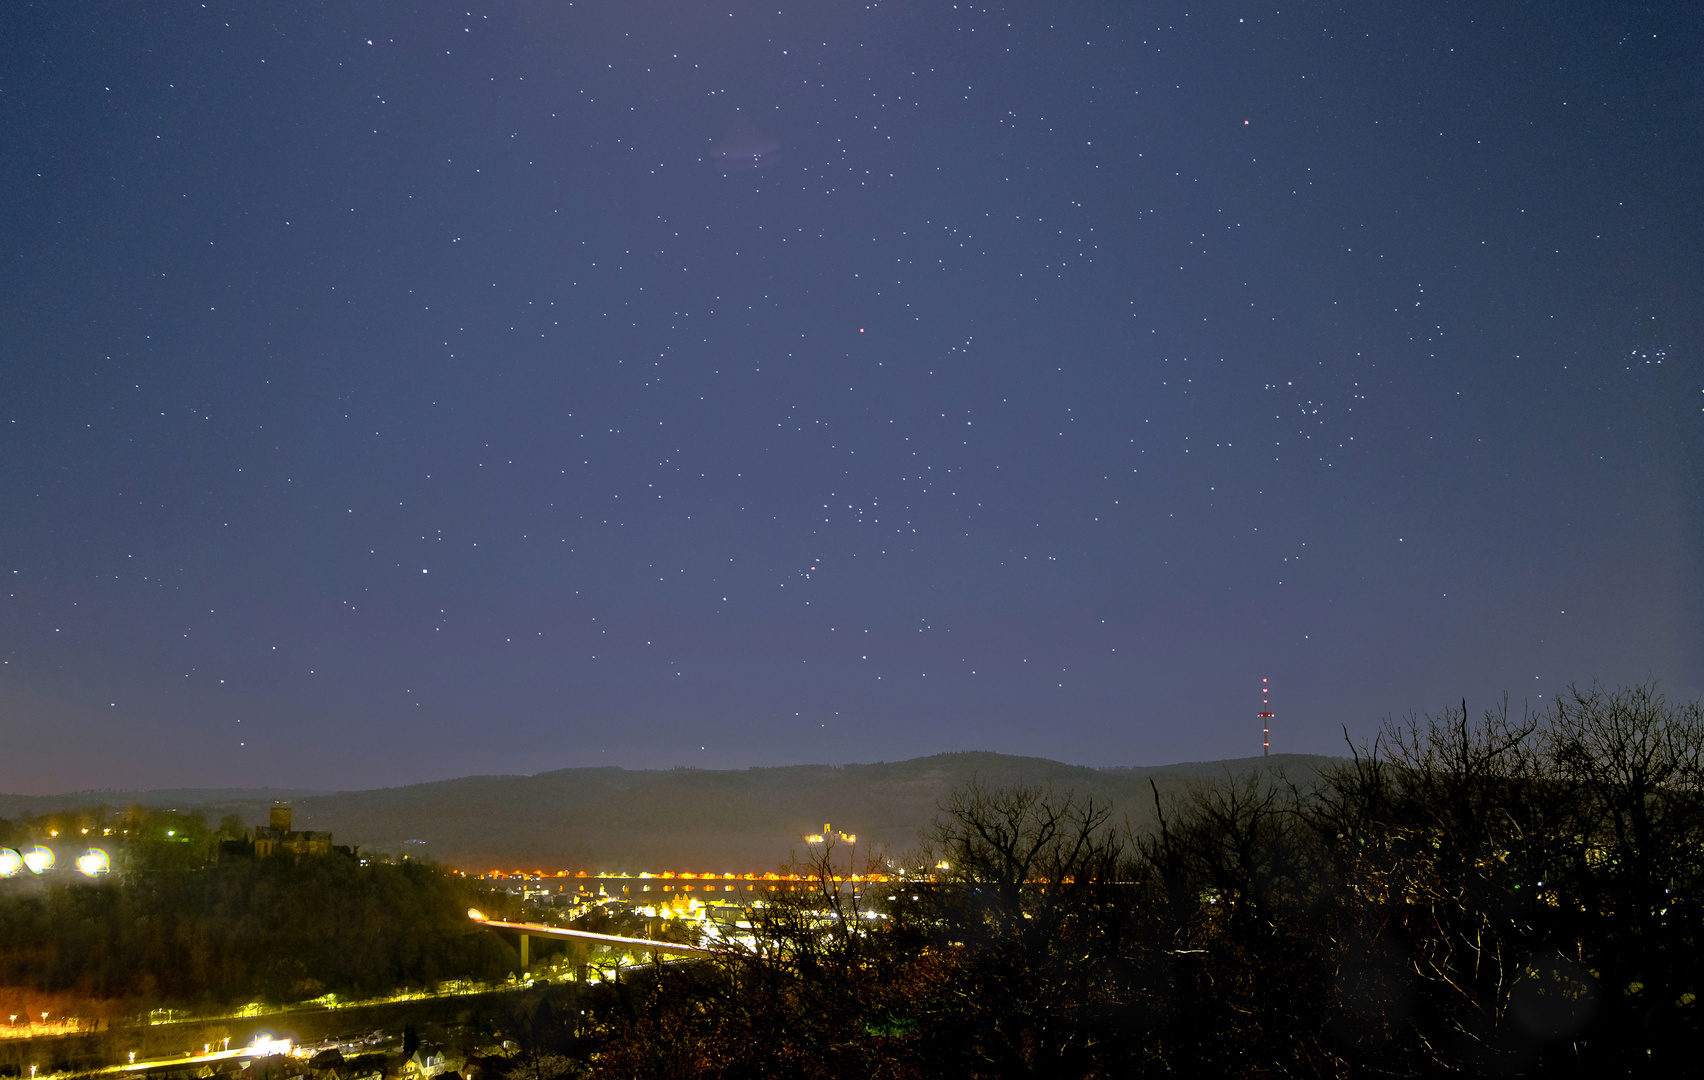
pixel 669 820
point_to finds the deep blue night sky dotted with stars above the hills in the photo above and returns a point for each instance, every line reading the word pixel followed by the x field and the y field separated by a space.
pixel 408 391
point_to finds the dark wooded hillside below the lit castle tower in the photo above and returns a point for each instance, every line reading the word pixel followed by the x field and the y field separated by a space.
pixel 180 929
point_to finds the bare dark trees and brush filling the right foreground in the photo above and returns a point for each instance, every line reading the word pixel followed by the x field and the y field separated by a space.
pixel 1494 897
